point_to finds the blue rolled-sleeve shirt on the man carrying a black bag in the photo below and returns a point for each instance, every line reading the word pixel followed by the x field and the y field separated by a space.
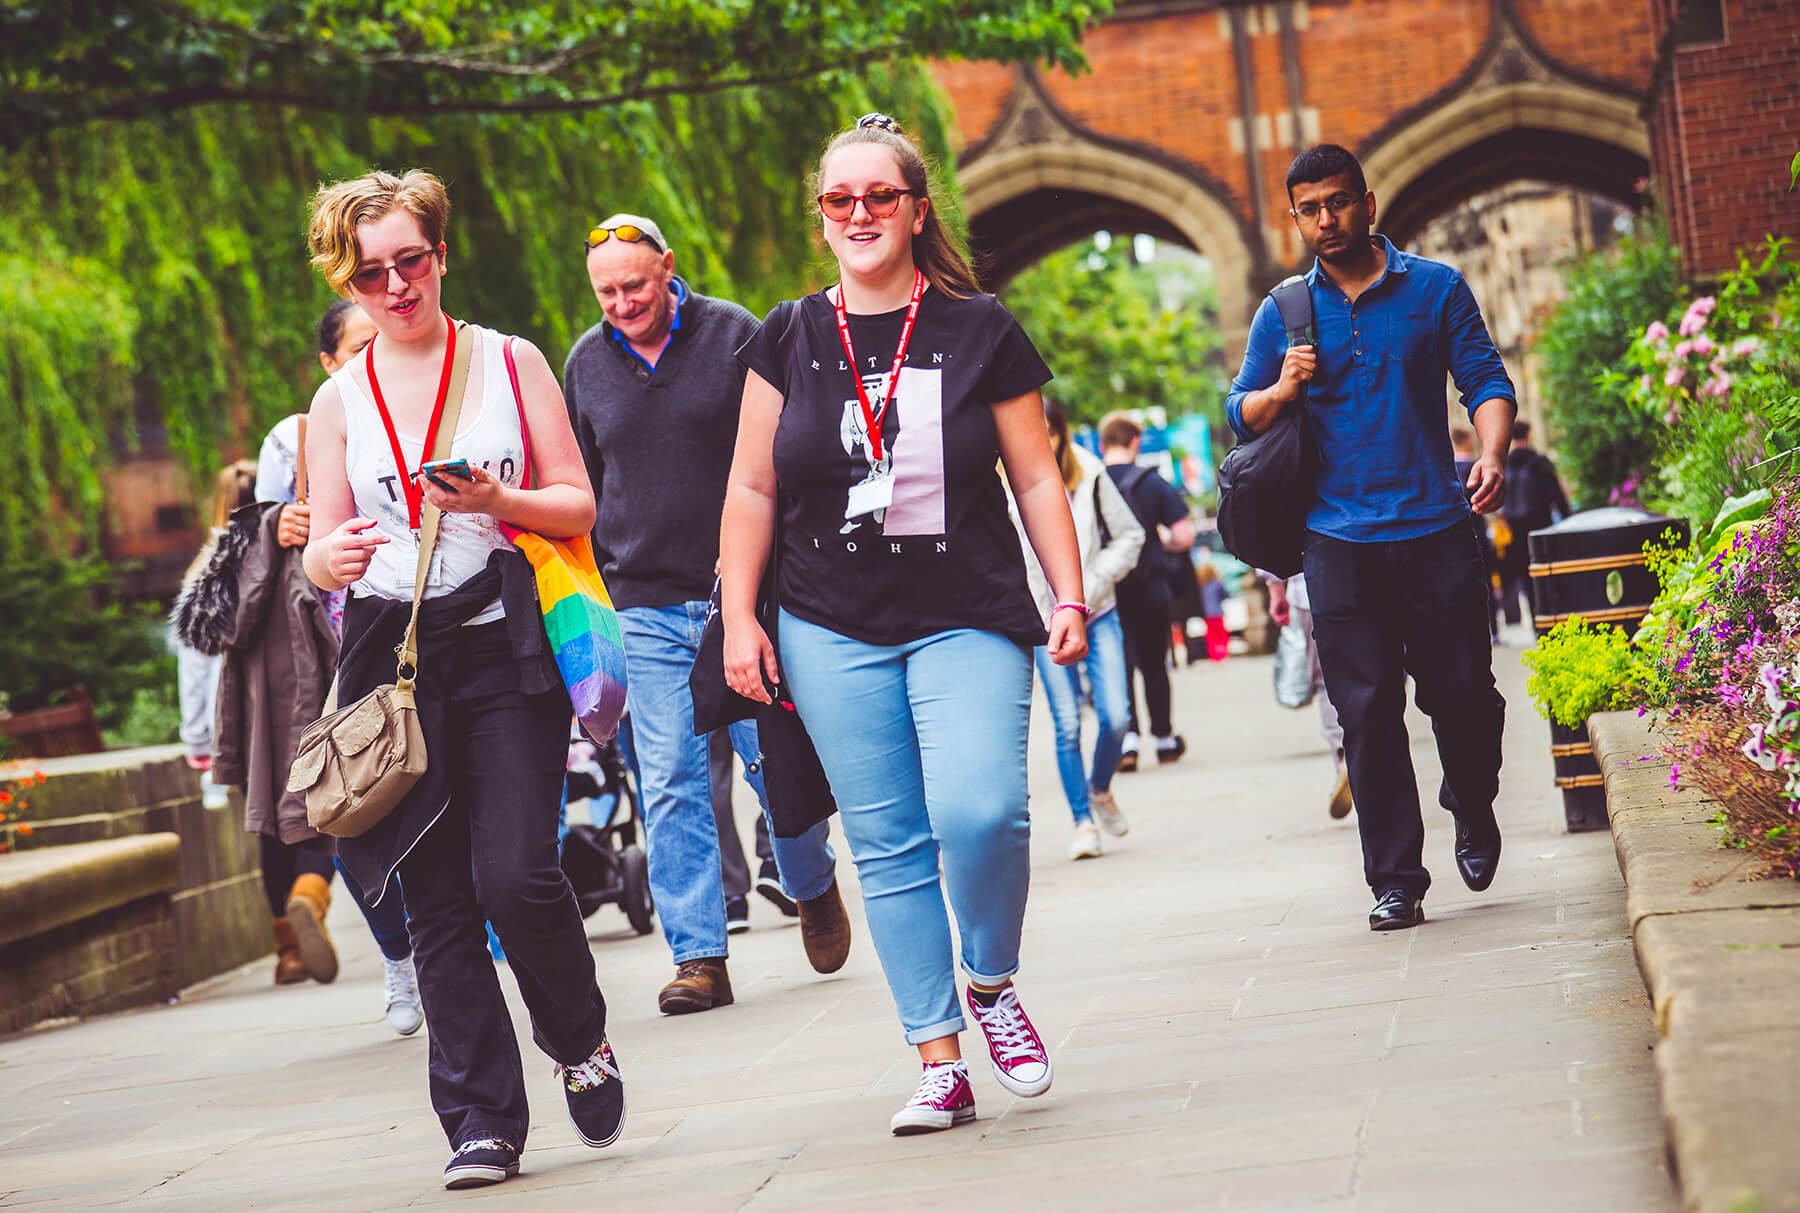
pixel 1378 402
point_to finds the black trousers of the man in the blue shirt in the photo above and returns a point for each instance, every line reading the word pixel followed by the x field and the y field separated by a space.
pixel 1383 613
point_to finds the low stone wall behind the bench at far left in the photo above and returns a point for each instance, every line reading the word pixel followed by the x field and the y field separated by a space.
pixel 219 913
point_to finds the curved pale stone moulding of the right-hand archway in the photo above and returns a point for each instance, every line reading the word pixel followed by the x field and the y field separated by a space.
pixel 1552 130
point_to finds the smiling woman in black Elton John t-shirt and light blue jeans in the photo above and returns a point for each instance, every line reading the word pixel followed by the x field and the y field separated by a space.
pixel 874 417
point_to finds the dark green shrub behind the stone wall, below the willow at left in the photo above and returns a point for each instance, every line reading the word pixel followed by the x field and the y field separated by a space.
pixel 66 625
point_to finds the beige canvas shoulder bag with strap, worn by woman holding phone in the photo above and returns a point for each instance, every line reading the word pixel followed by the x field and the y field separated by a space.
pixel 357 764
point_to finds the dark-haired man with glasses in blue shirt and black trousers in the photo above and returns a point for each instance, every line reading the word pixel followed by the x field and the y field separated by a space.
pixel 1392 561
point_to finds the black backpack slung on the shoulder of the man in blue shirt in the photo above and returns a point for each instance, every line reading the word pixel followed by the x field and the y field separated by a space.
pixel 1266 485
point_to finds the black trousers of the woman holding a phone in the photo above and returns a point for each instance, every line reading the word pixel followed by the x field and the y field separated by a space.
pixel 494 858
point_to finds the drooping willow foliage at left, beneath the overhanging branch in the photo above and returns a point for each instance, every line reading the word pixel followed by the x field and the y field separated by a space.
pixel 154 276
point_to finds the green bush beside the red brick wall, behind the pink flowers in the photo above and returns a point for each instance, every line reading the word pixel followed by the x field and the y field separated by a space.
pixel 1601 435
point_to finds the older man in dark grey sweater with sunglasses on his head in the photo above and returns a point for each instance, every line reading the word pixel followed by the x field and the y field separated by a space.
pixel 654 395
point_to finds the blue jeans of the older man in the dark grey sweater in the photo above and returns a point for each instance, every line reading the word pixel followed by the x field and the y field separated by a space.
pixel 676 782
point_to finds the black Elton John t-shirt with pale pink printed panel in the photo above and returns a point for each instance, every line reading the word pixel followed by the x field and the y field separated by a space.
pixel 944 553
